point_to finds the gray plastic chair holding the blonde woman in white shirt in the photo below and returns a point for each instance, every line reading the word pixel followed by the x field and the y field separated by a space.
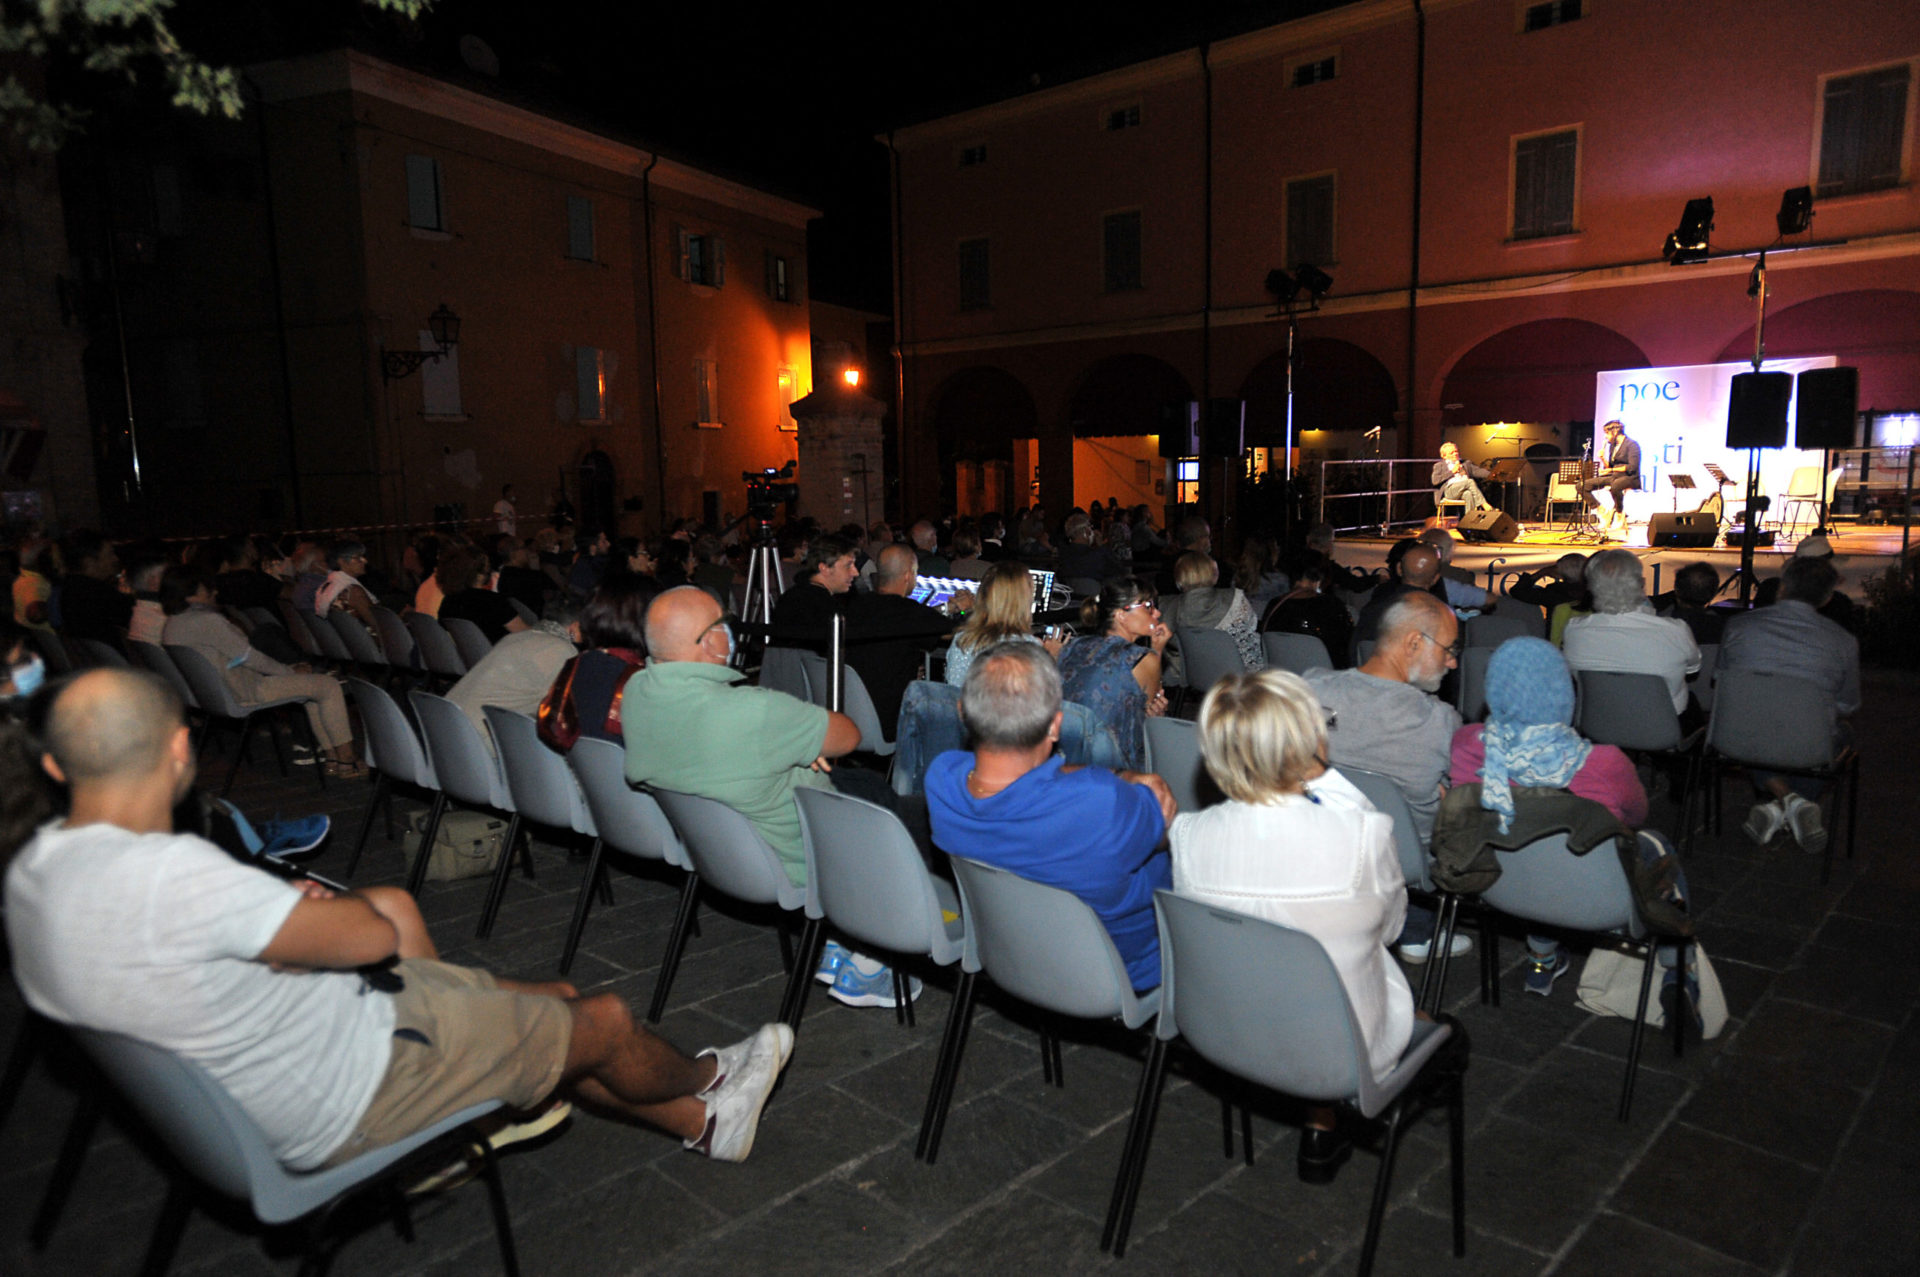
pixel 1266 1003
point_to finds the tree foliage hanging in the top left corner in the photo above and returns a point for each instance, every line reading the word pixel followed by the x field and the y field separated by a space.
pixel 124 39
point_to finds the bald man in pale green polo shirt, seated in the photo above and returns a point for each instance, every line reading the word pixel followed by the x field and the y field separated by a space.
pixel 694 731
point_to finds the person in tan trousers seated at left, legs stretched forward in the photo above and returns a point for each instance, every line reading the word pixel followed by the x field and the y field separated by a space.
pixel 195 621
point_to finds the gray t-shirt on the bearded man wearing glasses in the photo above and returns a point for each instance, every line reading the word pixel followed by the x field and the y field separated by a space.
pixel 1391 729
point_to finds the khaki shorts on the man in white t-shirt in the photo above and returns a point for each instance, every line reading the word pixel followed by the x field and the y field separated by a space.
pixel 460 1040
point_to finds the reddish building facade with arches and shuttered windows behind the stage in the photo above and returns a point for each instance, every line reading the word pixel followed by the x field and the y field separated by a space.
pixel 1487 183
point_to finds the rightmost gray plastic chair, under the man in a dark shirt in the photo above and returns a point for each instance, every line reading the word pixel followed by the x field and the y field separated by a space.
pixel 1775 723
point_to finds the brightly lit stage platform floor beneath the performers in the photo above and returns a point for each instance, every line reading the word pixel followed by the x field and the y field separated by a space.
pixel 1860 552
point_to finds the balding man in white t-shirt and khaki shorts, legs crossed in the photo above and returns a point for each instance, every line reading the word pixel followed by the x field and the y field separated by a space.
pixel 327 1017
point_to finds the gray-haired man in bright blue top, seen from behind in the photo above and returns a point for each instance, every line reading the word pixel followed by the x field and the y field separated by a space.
pixel 1017 806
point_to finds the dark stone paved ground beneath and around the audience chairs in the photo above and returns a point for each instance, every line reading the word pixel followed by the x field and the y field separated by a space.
pixel 1783 1147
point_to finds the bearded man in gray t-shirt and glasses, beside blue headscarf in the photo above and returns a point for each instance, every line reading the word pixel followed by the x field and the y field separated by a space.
pixel 1385 717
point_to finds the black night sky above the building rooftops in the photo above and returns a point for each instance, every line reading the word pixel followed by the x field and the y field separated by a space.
pixel 782 97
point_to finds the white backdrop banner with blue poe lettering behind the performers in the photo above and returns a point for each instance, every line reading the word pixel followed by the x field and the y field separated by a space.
pixel 1679 420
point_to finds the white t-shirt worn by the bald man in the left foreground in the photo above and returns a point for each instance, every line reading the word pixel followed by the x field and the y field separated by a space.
pixel 155 936
